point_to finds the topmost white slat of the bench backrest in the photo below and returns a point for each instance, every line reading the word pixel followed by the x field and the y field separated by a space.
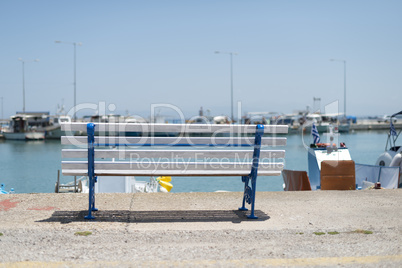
pixel 181 128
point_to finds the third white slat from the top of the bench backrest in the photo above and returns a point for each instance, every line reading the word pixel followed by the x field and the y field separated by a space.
pixel 172 154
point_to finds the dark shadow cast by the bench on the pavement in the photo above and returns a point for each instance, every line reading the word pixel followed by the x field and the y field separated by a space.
pixel 234 216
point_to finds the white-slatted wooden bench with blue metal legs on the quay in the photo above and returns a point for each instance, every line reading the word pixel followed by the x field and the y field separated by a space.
pixel 223 150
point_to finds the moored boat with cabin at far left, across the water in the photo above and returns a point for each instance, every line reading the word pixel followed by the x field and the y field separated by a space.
pixel 24 127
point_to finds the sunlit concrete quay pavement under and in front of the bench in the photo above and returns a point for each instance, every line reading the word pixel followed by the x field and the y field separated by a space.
pixel 294 229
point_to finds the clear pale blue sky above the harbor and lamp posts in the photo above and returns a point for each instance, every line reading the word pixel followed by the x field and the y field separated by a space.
pixel 138 53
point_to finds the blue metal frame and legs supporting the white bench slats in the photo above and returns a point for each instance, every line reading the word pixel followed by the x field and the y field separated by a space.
pixel 250 181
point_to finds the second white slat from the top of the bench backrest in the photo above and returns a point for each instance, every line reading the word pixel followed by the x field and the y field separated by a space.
pixel 174 141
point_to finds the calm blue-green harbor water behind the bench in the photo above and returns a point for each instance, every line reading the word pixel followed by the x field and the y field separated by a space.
pixel 31 167
